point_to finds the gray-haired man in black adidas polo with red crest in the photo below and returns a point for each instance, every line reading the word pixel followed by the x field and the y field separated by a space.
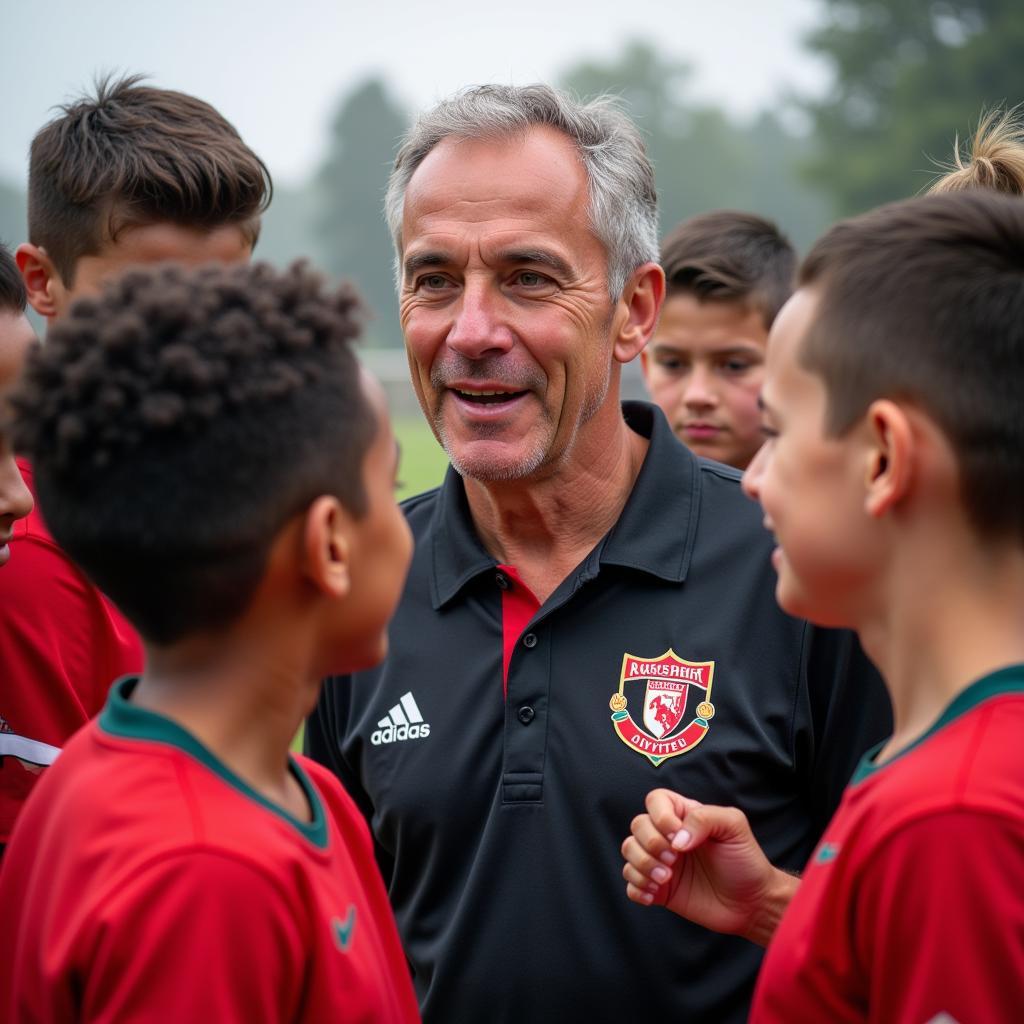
pixel 590 611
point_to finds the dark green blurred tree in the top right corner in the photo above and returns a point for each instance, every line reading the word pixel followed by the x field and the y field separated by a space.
pixel 910 75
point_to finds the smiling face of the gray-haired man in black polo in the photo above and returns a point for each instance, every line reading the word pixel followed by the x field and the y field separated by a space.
pixel 504 303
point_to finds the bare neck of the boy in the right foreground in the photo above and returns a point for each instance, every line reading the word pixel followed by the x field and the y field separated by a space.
pixel 948 619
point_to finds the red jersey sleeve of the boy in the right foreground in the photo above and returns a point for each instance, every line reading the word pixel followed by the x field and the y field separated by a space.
pixel 940 921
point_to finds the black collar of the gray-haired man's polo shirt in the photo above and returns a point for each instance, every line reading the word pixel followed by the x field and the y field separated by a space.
pixel 654 535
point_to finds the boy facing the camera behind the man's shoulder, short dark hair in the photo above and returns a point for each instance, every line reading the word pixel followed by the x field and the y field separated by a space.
pixel 728 275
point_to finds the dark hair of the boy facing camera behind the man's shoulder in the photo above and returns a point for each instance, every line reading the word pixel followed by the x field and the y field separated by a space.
pixel 731 257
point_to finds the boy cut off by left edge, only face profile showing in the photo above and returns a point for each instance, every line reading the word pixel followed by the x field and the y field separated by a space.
pixel 17 337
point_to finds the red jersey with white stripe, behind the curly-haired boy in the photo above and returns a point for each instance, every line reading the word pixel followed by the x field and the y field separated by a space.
pixel 62 646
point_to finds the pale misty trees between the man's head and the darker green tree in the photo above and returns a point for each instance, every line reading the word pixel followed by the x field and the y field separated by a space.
pixel 703 158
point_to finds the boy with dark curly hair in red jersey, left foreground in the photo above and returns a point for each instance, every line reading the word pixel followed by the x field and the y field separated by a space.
pixel 206 448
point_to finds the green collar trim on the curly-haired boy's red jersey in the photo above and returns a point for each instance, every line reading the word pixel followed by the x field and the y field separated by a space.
pixel 121 718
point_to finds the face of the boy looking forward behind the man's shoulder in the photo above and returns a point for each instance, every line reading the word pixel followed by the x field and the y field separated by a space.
pixel 704 367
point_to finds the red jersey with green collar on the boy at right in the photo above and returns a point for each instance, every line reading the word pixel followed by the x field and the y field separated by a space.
pixel 912 909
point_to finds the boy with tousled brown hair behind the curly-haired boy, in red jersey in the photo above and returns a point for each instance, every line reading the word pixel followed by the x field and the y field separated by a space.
pixel 130 176
